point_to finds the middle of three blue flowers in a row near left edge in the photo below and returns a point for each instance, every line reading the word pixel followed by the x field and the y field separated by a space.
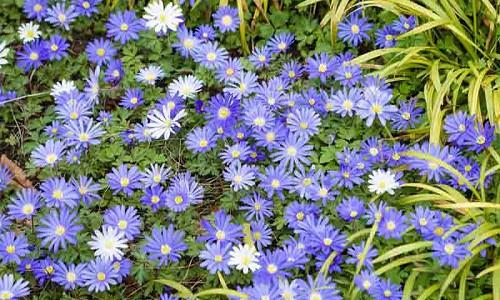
pixel 59 193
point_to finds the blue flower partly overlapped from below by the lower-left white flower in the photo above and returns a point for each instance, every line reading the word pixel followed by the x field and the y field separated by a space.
pixel 125 219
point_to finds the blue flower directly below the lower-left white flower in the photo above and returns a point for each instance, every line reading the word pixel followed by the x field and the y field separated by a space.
pixel 99 275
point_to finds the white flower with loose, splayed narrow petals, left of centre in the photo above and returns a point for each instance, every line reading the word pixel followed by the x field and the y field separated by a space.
pixel 161 123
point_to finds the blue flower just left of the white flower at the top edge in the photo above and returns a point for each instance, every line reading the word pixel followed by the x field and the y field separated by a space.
pixel 123 26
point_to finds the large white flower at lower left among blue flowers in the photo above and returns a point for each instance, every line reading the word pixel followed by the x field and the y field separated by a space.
pixel 108 243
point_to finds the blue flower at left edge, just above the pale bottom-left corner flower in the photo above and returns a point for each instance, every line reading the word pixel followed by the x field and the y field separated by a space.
pixel 13 248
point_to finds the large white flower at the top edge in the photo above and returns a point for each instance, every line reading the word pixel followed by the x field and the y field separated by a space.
pixel 161 18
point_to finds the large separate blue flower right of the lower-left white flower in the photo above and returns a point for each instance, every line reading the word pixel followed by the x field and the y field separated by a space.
pixel 165 245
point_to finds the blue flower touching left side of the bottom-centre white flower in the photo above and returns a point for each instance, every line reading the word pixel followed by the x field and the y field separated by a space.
pixel 215 258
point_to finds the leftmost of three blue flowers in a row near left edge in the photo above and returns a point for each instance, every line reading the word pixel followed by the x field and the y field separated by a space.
pixel 25 204
